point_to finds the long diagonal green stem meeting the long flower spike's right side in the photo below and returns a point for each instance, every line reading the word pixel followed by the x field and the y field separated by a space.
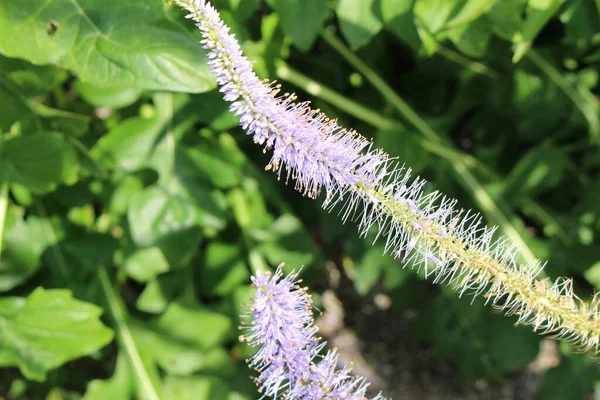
pixel 461 170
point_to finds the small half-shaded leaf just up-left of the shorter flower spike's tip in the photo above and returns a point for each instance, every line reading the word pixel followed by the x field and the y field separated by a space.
pixel 223 269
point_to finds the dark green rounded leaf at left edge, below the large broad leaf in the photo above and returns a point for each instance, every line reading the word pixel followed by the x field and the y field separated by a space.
pixel 34 161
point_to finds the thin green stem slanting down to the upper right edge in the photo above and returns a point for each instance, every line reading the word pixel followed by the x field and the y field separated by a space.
pixel 589 111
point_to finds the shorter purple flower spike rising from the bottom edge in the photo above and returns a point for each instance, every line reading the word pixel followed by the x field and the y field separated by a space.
pixel 282 327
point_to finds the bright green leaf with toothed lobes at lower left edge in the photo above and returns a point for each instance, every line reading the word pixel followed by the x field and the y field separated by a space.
pixel 47 329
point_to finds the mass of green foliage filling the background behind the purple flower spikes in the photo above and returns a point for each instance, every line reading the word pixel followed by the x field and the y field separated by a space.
pixel 127 183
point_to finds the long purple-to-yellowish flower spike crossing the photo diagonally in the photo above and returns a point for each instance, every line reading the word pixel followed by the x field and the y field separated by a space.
pixel 451 244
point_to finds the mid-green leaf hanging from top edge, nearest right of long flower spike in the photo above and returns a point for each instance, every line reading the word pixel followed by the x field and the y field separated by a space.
pixel 302 20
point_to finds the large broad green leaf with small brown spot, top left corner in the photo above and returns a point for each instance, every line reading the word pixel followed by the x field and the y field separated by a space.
pixel 138 46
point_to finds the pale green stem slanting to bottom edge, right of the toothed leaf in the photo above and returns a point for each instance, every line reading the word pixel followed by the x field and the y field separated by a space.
pixel 145 385
